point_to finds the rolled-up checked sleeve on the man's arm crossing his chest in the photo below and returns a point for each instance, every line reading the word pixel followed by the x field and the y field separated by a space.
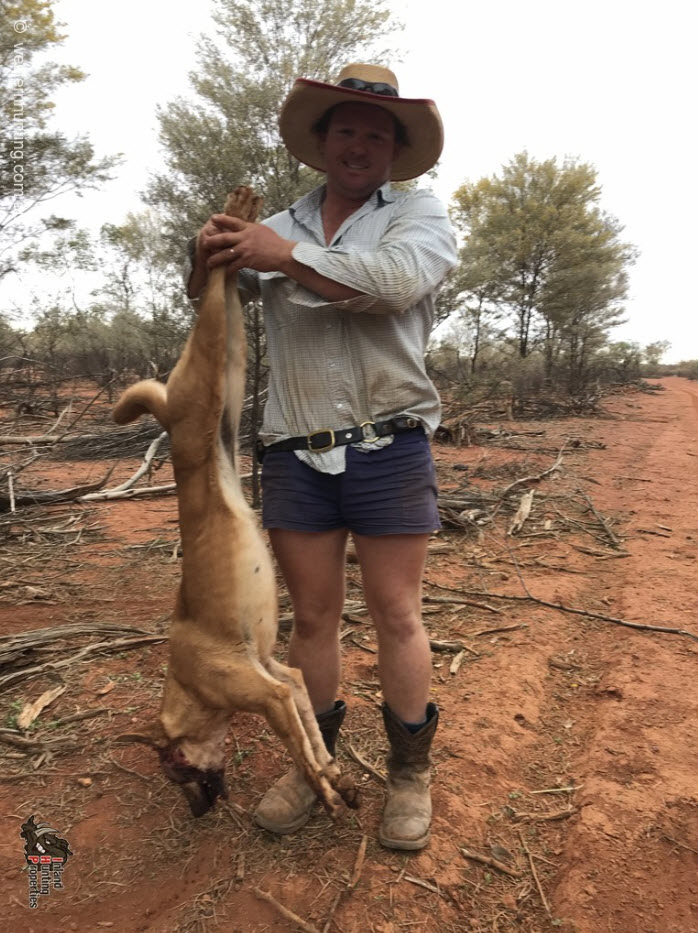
pixel 414 255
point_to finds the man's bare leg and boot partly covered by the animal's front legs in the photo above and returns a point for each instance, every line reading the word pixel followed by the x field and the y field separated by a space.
pixel 312 564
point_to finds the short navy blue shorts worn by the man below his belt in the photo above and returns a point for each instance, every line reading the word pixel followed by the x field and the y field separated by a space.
pixel 388 491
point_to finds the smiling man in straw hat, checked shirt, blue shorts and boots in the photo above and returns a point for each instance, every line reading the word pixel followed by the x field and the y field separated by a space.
pixel 347 278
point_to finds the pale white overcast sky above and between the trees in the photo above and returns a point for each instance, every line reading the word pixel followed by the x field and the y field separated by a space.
pixel 611 82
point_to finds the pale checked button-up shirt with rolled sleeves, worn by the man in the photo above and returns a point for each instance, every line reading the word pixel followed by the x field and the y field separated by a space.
pixel 339 364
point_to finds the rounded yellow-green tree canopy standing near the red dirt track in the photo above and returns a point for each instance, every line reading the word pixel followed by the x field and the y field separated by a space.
pixel 541 260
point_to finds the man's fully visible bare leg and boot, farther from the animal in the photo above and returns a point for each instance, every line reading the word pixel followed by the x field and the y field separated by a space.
pixel 392 567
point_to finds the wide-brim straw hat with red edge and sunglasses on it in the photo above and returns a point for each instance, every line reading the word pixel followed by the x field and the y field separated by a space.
pixel 308 100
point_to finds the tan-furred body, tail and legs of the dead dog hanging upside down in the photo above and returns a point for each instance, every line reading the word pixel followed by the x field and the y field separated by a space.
pixel 225 618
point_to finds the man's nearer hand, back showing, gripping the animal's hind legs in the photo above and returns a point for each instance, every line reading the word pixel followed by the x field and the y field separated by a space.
pixel 240 245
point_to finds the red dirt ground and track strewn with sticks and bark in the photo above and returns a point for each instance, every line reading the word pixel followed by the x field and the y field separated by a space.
pixel 564 716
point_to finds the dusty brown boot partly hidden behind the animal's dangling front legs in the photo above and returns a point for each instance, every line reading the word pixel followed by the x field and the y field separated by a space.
pixel 287 804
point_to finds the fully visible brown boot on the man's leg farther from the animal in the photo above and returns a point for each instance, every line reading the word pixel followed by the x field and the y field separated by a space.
pixel 407 813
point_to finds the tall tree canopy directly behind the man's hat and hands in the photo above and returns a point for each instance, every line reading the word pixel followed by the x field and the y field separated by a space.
pixel 228 134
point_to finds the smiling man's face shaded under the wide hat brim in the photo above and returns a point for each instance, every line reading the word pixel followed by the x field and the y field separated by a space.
pixel 359 150
